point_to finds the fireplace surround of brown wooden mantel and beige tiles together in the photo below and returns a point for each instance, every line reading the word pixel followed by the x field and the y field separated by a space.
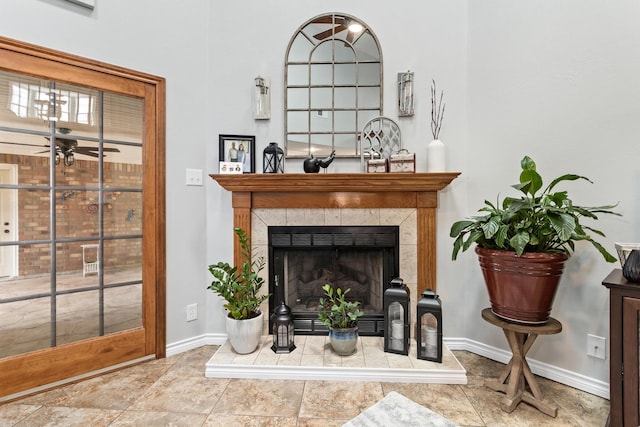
pixel 406 200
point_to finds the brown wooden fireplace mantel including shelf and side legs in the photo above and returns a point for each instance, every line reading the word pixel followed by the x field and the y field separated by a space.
pixel 344 190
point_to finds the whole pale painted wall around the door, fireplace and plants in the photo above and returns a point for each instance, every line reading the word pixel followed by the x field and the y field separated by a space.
pixel 554 80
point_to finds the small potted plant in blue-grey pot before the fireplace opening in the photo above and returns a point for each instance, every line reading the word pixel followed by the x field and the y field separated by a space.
pixel 341 318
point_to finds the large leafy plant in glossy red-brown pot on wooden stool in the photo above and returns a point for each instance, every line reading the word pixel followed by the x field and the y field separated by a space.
pixel 523 243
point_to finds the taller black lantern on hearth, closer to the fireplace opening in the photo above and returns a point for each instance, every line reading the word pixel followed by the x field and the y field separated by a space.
pixel 396 317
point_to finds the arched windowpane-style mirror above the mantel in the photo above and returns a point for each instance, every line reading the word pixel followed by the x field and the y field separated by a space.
pixel 333 86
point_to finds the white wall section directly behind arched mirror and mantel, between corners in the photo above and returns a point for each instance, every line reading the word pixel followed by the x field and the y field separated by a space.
pixel 430 40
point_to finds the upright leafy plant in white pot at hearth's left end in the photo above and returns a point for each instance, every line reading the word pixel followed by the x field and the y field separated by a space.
pixel 240 287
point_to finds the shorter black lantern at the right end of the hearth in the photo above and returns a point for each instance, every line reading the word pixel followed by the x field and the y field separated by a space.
pixel 429 327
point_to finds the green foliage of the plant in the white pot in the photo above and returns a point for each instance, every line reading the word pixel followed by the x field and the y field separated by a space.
pixel 240 286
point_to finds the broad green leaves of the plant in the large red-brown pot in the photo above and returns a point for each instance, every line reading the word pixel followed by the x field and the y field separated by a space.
pixel 547 222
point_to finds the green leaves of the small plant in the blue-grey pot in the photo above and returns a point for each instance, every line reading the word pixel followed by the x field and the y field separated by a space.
pixel 336 311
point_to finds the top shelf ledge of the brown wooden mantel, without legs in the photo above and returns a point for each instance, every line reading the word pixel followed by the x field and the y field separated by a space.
pixel 336 182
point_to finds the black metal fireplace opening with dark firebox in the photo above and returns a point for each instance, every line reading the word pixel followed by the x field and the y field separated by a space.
pixel 363 259
